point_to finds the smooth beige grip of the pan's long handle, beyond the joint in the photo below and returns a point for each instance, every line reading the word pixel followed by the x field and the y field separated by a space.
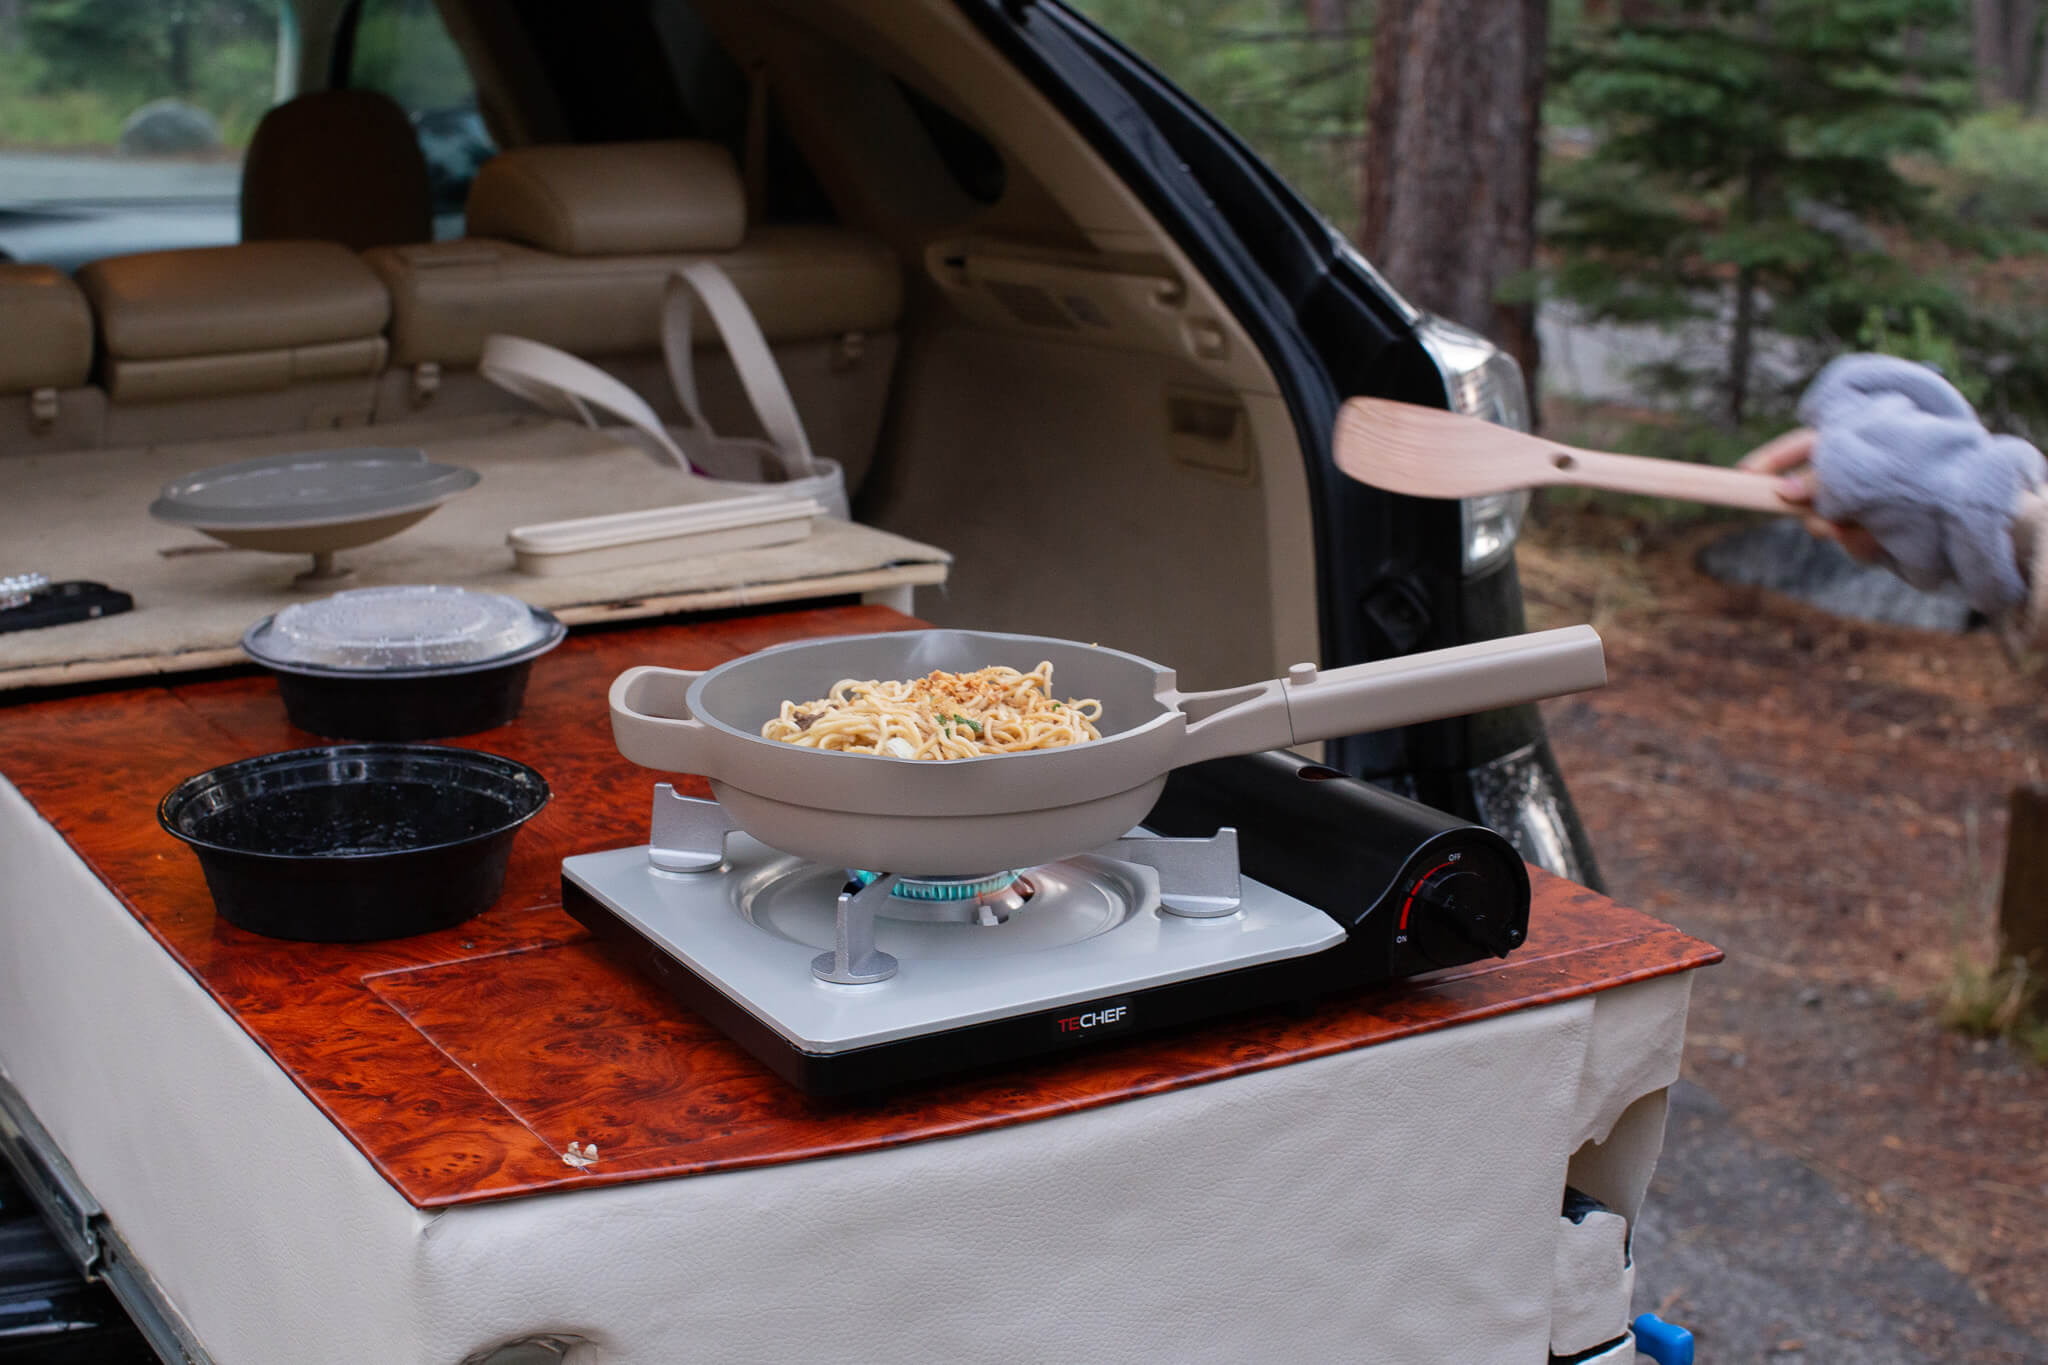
pixel 1443 682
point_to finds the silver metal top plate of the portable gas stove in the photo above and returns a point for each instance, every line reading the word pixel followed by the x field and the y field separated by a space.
pixel 738 928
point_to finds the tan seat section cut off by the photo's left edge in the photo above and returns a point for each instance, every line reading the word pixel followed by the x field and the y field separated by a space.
pixel 46 359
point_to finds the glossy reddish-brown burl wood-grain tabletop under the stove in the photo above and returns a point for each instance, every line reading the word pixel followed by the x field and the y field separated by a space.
pixel 466 1063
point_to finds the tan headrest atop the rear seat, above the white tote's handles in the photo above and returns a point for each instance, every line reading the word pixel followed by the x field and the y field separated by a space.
pixel 611 200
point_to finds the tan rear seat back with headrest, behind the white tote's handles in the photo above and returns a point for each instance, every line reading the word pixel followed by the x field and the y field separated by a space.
pixel 572 247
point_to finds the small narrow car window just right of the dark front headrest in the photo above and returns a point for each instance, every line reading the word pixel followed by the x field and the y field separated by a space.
pixel 400 48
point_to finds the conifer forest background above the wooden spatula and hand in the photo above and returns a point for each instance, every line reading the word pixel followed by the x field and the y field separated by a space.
pixel 1748 187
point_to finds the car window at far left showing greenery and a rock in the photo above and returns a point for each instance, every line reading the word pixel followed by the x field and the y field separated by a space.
pixel 124 122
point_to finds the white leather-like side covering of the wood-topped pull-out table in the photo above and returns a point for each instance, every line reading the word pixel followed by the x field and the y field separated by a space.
pixel 1388 1204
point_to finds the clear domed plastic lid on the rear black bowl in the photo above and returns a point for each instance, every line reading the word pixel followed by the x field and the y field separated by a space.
pixel 402 631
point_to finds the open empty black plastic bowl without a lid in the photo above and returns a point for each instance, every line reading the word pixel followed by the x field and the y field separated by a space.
pixel 355 842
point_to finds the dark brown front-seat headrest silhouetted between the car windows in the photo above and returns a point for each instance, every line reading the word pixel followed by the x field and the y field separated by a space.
pixel 337 167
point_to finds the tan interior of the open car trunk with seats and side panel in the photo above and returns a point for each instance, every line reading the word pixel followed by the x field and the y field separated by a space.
pixel 976 316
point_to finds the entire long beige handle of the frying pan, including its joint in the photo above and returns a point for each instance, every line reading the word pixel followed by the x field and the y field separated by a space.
pixel 1392 693
